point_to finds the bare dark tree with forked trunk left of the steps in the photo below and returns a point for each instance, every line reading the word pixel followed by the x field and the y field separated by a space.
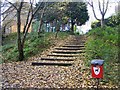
pixel 31 13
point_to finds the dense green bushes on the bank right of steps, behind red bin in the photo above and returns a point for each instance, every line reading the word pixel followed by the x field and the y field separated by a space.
pixel 102 43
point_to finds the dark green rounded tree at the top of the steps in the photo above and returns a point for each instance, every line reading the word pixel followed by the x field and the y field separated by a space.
pixel 77 12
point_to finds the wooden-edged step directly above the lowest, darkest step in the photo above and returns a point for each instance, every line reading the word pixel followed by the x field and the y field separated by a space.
pixel 57 59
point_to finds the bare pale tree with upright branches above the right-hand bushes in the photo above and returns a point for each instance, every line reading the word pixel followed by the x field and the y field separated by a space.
pixel 103 7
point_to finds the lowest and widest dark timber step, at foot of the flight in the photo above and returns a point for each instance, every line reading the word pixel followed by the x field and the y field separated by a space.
pixel 51 64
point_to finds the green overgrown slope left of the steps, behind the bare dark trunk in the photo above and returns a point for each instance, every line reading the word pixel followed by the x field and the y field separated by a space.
pixel 33 44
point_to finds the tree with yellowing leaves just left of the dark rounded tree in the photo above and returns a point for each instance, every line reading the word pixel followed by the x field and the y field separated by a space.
pixel 54 14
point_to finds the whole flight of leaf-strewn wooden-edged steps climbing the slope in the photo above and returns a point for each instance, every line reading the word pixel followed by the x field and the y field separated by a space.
pixel 64 55
